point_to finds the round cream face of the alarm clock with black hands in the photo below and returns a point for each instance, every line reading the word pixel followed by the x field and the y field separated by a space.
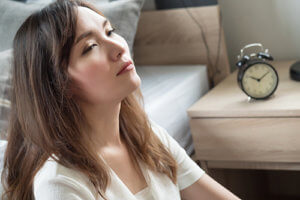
pixel 259 80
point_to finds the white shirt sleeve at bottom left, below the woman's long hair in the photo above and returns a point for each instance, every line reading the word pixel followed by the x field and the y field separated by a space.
pixel 61 188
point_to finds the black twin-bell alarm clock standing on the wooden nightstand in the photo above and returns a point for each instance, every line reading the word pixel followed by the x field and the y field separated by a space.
pixel 257 78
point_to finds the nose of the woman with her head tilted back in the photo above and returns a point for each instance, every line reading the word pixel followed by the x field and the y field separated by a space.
pixel 116 49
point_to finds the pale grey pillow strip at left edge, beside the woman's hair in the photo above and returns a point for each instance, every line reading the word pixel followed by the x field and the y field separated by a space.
pixel 5 86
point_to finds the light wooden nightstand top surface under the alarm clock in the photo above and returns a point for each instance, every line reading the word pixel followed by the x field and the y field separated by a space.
pixel 228 100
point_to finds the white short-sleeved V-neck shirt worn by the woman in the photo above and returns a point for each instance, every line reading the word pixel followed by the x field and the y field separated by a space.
pixel 54 181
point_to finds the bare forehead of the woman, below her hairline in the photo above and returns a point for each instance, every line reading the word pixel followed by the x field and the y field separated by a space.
pixel 87 18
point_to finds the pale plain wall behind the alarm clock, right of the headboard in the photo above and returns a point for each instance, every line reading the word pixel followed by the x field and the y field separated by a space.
pixel 274 23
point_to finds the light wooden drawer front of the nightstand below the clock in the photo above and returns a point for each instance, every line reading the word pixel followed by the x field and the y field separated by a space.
pixel 247 139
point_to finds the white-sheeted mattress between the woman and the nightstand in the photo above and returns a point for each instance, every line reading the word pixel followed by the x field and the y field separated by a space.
pixel 169 90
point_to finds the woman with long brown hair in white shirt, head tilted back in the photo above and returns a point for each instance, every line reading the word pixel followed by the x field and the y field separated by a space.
pixel 77 130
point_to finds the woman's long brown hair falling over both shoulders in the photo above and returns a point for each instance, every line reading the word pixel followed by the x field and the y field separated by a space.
pixel 45 118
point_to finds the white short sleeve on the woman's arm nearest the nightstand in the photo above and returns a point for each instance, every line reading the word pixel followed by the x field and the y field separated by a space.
pixel 188 171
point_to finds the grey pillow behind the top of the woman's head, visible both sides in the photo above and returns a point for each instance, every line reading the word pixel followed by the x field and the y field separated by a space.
pixel 123 14
